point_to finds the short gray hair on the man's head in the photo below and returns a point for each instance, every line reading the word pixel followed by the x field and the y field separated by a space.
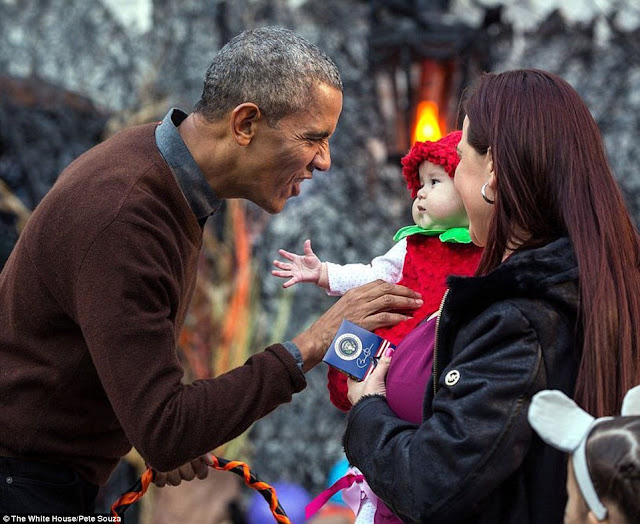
pixel 272 67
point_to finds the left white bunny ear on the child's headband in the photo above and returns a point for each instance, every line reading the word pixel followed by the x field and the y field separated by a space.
pixel 558 420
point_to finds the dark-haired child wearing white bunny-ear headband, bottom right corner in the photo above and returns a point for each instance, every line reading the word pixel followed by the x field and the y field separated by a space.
pixel 603 472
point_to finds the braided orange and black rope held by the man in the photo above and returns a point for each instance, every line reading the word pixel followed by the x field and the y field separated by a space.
pixel 239 468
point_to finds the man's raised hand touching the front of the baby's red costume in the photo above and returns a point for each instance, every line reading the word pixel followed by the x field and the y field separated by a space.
pixel 370 306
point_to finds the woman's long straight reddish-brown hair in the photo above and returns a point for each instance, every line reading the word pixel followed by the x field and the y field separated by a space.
pixel 554 180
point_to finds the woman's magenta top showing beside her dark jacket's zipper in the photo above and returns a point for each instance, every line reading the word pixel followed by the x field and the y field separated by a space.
pixel 410 370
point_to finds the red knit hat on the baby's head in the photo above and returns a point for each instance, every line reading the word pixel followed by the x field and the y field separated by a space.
pixel 443 152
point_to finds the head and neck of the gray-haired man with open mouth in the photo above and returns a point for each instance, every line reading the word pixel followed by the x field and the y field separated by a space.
pixel 270 103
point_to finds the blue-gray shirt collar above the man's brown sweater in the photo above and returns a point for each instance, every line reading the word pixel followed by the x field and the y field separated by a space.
pixel 197 191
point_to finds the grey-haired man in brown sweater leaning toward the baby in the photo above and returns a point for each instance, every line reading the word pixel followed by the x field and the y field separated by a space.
pixel 95 293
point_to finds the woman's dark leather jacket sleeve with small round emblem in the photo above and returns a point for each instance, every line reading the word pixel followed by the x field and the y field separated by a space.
pixel 477 436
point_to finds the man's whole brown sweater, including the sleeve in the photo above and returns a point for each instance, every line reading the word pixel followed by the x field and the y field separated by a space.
pixel 92 300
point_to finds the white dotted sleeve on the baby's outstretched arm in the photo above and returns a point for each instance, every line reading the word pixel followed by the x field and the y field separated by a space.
pixel 387 267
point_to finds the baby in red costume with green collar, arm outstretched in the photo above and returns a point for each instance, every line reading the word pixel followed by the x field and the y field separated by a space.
pixel 435 246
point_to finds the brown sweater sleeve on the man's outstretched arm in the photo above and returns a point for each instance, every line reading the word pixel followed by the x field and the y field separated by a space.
pixel 126 303
